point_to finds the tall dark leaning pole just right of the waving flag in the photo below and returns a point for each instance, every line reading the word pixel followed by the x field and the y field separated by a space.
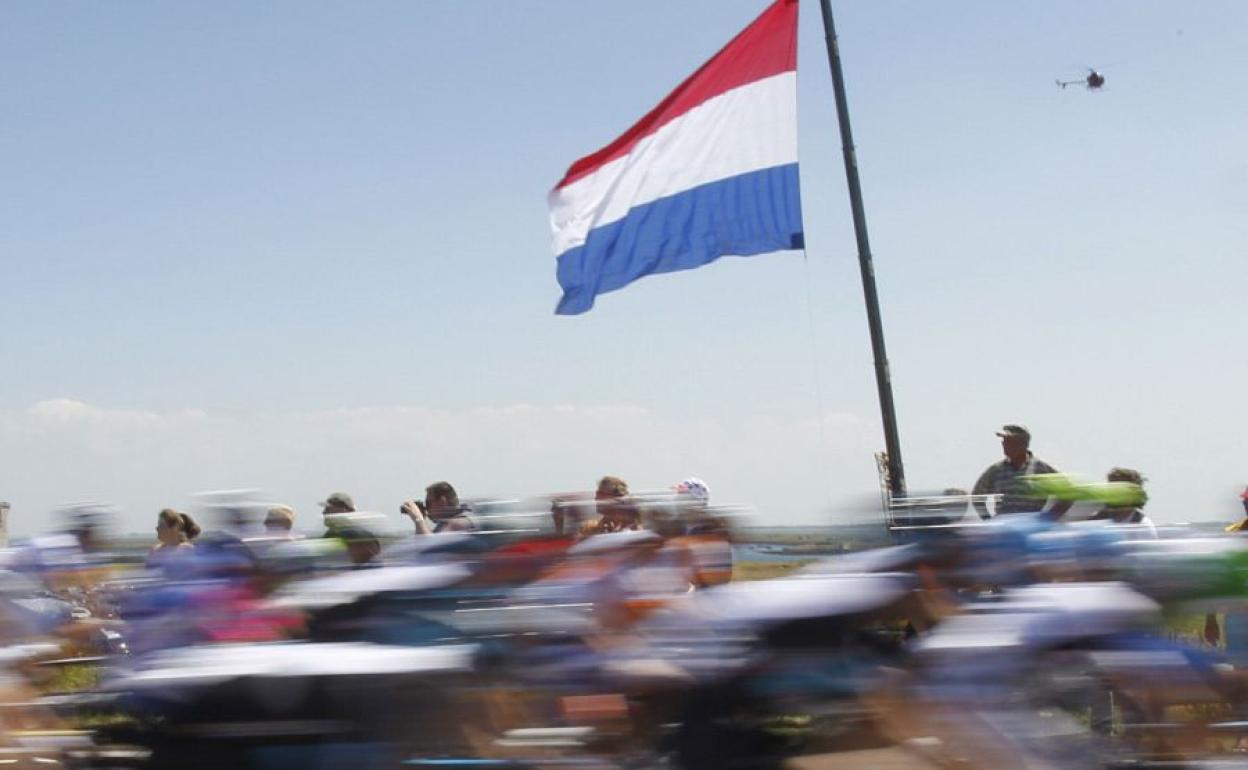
pixel 884 384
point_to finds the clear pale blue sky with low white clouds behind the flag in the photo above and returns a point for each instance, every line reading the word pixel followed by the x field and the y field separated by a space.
pixel 303 246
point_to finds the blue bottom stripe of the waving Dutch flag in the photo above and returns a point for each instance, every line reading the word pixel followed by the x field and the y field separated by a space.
pixel 746 215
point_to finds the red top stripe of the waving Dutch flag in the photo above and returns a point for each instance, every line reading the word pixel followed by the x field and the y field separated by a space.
pixel 767 48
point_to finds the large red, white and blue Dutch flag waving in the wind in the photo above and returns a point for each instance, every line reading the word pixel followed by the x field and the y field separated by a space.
pixel 711 172
